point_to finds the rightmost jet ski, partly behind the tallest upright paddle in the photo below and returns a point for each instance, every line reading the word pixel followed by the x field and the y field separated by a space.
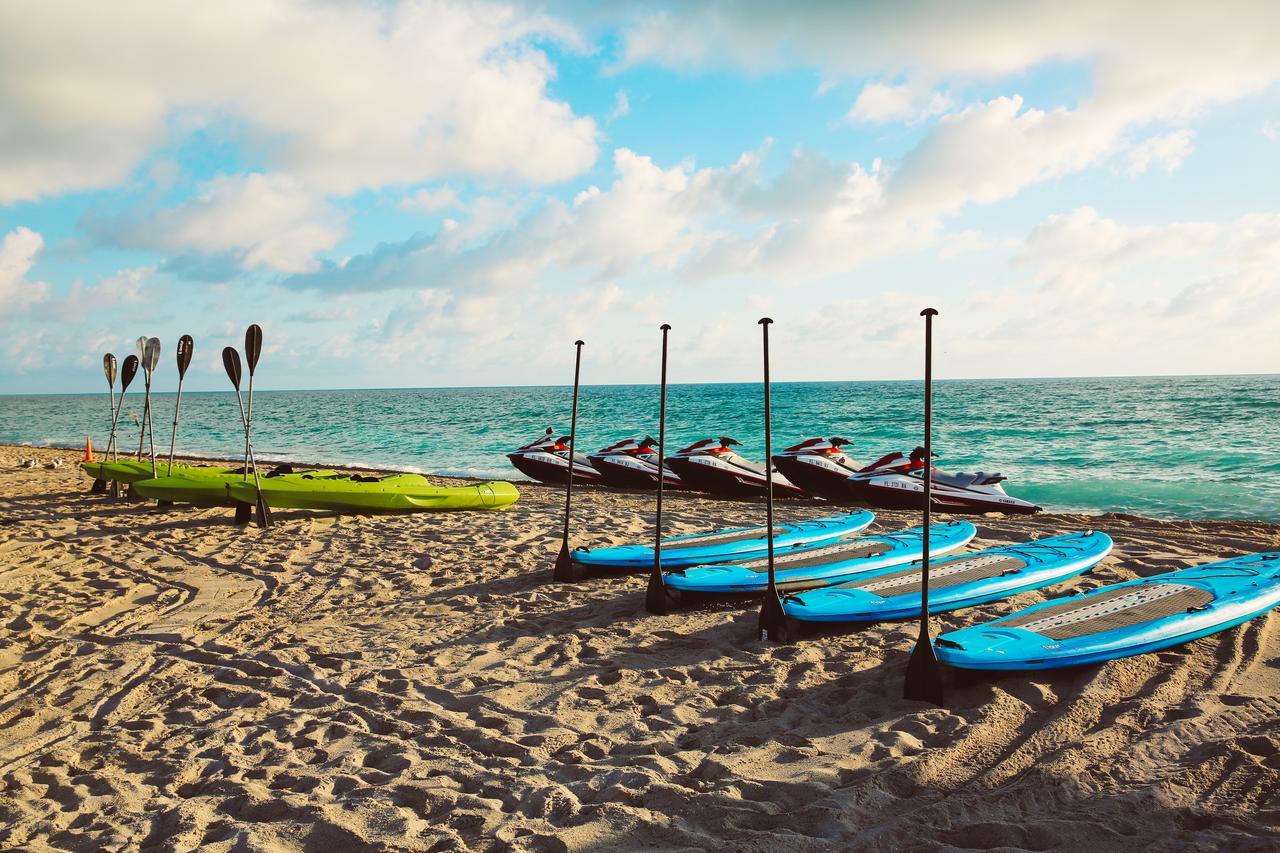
pixel 897 489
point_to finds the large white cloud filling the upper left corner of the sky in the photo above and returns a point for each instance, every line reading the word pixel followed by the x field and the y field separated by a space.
pixel 341 95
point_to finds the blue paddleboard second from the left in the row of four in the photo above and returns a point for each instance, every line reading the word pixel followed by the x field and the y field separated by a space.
pixel 822 567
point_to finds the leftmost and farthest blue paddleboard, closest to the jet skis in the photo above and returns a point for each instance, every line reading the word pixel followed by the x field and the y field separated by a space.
pixel 737 544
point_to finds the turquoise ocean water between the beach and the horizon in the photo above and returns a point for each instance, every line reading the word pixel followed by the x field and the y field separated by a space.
pixel 1199 448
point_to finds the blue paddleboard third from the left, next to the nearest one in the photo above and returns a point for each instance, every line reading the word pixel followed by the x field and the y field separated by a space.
pixel 961 581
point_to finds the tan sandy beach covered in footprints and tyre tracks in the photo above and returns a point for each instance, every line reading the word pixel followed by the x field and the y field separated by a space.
pixel 171 682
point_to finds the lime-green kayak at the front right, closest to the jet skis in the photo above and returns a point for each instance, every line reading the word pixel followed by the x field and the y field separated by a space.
pixel 397 492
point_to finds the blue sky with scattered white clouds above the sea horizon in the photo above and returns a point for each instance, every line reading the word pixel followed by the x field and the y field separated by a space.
pixel 428 194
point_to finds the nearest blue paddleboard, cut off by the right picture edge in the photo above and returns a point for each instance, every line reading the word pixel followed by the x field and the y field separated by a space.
pixel 1121 621
